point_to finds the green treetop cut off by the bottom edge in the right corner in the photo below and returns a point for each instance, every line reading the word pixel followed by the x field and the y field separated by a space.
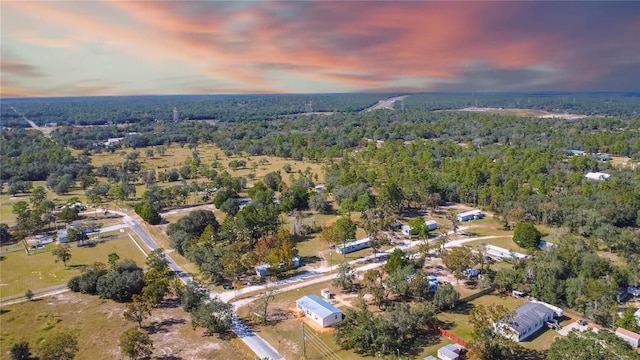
pixel 589 345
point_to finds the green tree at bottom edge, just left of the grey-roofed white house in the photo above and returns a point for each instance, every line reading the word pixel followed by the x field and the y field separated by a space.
pixel 486 343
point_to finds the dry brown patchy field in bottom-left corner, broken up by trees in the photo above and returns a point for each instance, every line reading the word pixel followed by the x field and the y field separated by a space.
pixel 99 324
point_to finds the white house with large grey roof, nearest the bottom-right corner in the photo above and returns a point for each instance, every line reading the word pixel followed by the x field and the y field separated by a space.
pixel 528 319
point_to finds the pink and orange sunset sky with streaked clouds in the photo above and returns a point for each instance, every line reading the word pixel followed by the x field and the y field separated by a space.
pixel 109 47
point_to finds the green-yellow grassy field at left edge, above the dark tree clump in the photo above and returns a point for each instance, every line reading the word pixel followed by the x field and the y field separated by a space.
pixel 20 272
